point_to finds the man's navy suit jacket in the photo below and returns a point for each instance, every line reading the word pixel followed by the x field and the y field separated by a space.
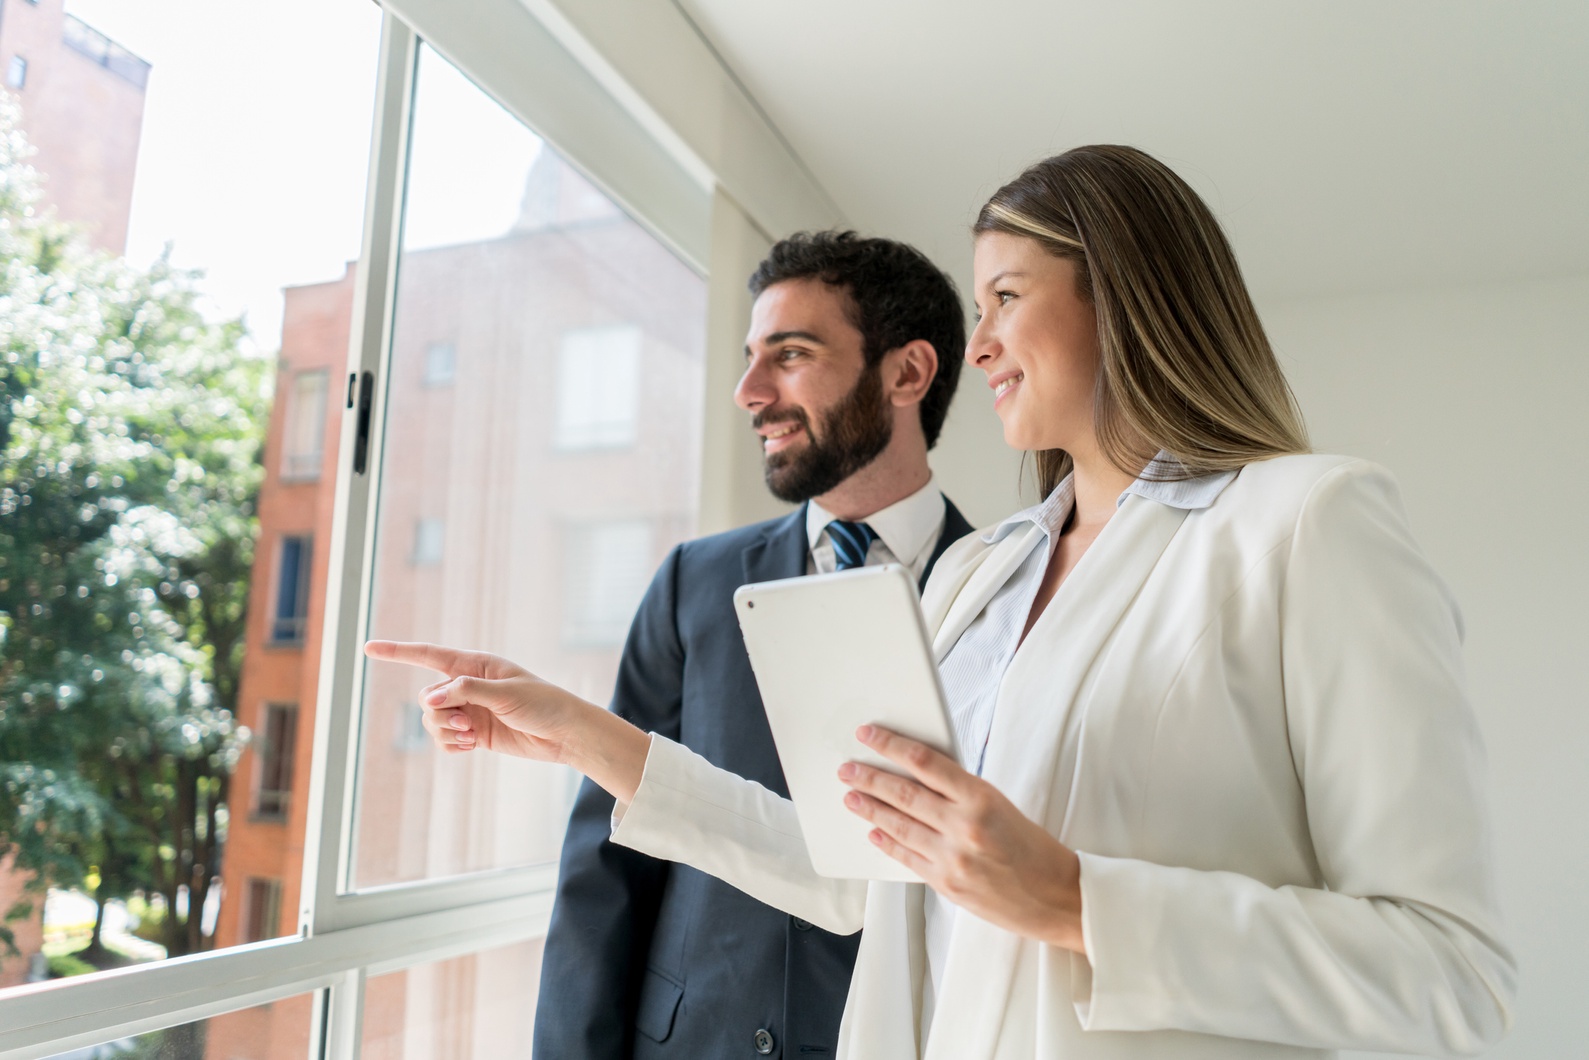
pixel 649 959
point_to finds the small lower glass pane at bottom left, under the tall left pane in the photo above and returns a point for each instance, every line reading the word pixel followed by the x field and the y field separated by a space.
pixel 266 1032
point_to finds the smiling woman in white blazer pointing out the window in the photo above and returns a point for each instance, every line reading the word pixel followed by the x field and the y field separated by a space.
pixel 1226 791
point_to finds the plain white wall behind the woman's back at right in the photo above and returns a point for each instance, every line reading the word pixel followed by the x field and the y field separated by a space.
pixel 1477 401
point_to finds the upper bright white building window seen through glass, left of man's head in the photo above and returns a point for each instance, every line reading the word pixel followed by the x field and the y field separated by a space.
pixel 598 387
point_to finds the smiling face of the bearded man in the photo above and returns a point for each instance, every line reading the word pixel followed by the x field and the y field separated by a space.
pixel 819 409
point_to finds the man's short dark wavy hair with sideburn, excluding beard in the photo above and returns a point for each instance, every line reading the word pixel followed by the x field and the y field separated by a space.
pixel 897 296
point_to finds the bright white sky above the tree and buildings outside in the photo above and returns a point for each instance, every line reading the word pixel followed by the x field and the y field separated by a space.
pixel 257 133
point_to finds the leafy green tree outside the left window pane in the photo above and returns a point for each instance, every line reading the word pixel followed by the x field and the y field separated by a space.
pixel 130 468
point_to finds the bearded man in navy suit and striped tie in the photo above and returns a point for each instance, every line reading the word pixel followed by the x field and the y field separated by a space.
pixel 851 365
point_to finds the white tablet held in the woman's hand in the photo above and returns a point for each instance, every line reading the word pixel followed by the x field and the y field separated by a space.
pixel 833 652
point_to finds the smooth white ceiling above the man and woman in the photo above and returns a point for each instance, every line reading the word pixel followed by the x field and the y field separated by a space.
pixel 1348 147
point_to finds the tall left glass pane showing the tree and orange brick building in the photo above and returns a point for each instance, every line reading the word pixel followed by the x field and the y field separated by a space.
pixel 168 169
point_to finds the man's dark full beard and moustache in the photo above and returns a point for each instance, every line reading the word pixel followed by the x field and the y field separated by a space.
pixel 854 433
